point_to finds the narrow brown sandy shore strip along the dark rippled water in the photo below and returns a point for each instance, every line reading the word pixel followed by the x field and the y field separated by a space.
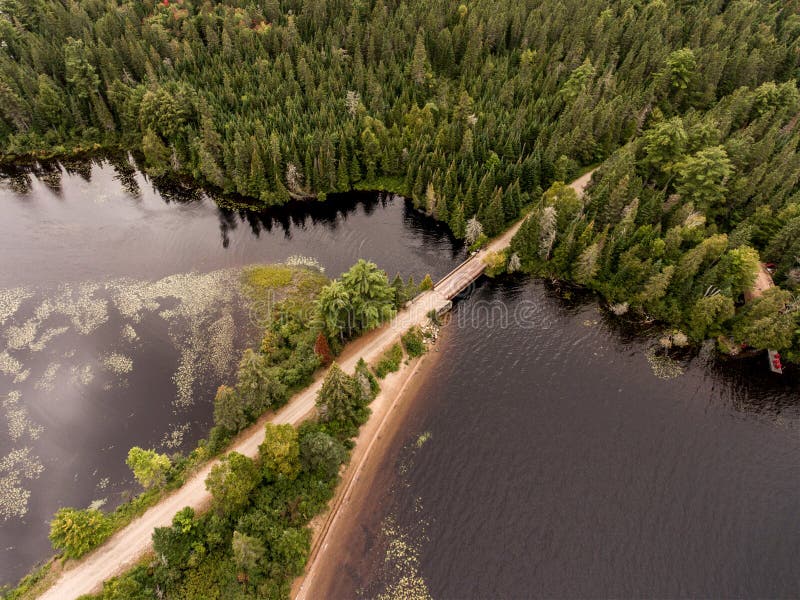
pixel 333 531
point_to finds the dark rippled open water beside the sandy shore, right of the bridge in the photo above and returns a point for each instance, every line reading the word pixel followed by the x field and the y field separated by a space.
pixel 558 465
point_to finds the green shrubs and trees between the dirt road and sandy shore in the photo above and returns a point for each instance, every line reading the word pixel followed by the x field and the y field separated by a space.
pixel 255 539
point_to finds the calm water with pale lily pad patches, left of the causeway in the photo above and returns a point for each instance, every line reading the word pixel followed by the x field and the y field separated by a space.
pixel 120 315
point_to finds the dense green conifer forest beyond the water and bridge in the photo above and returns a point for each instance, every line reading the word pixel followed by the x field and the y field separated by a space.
pixel 474 111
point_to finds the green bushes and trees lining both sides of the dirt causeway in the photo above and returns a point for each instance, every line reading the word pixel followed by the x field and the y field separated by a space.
pixel 297 469
